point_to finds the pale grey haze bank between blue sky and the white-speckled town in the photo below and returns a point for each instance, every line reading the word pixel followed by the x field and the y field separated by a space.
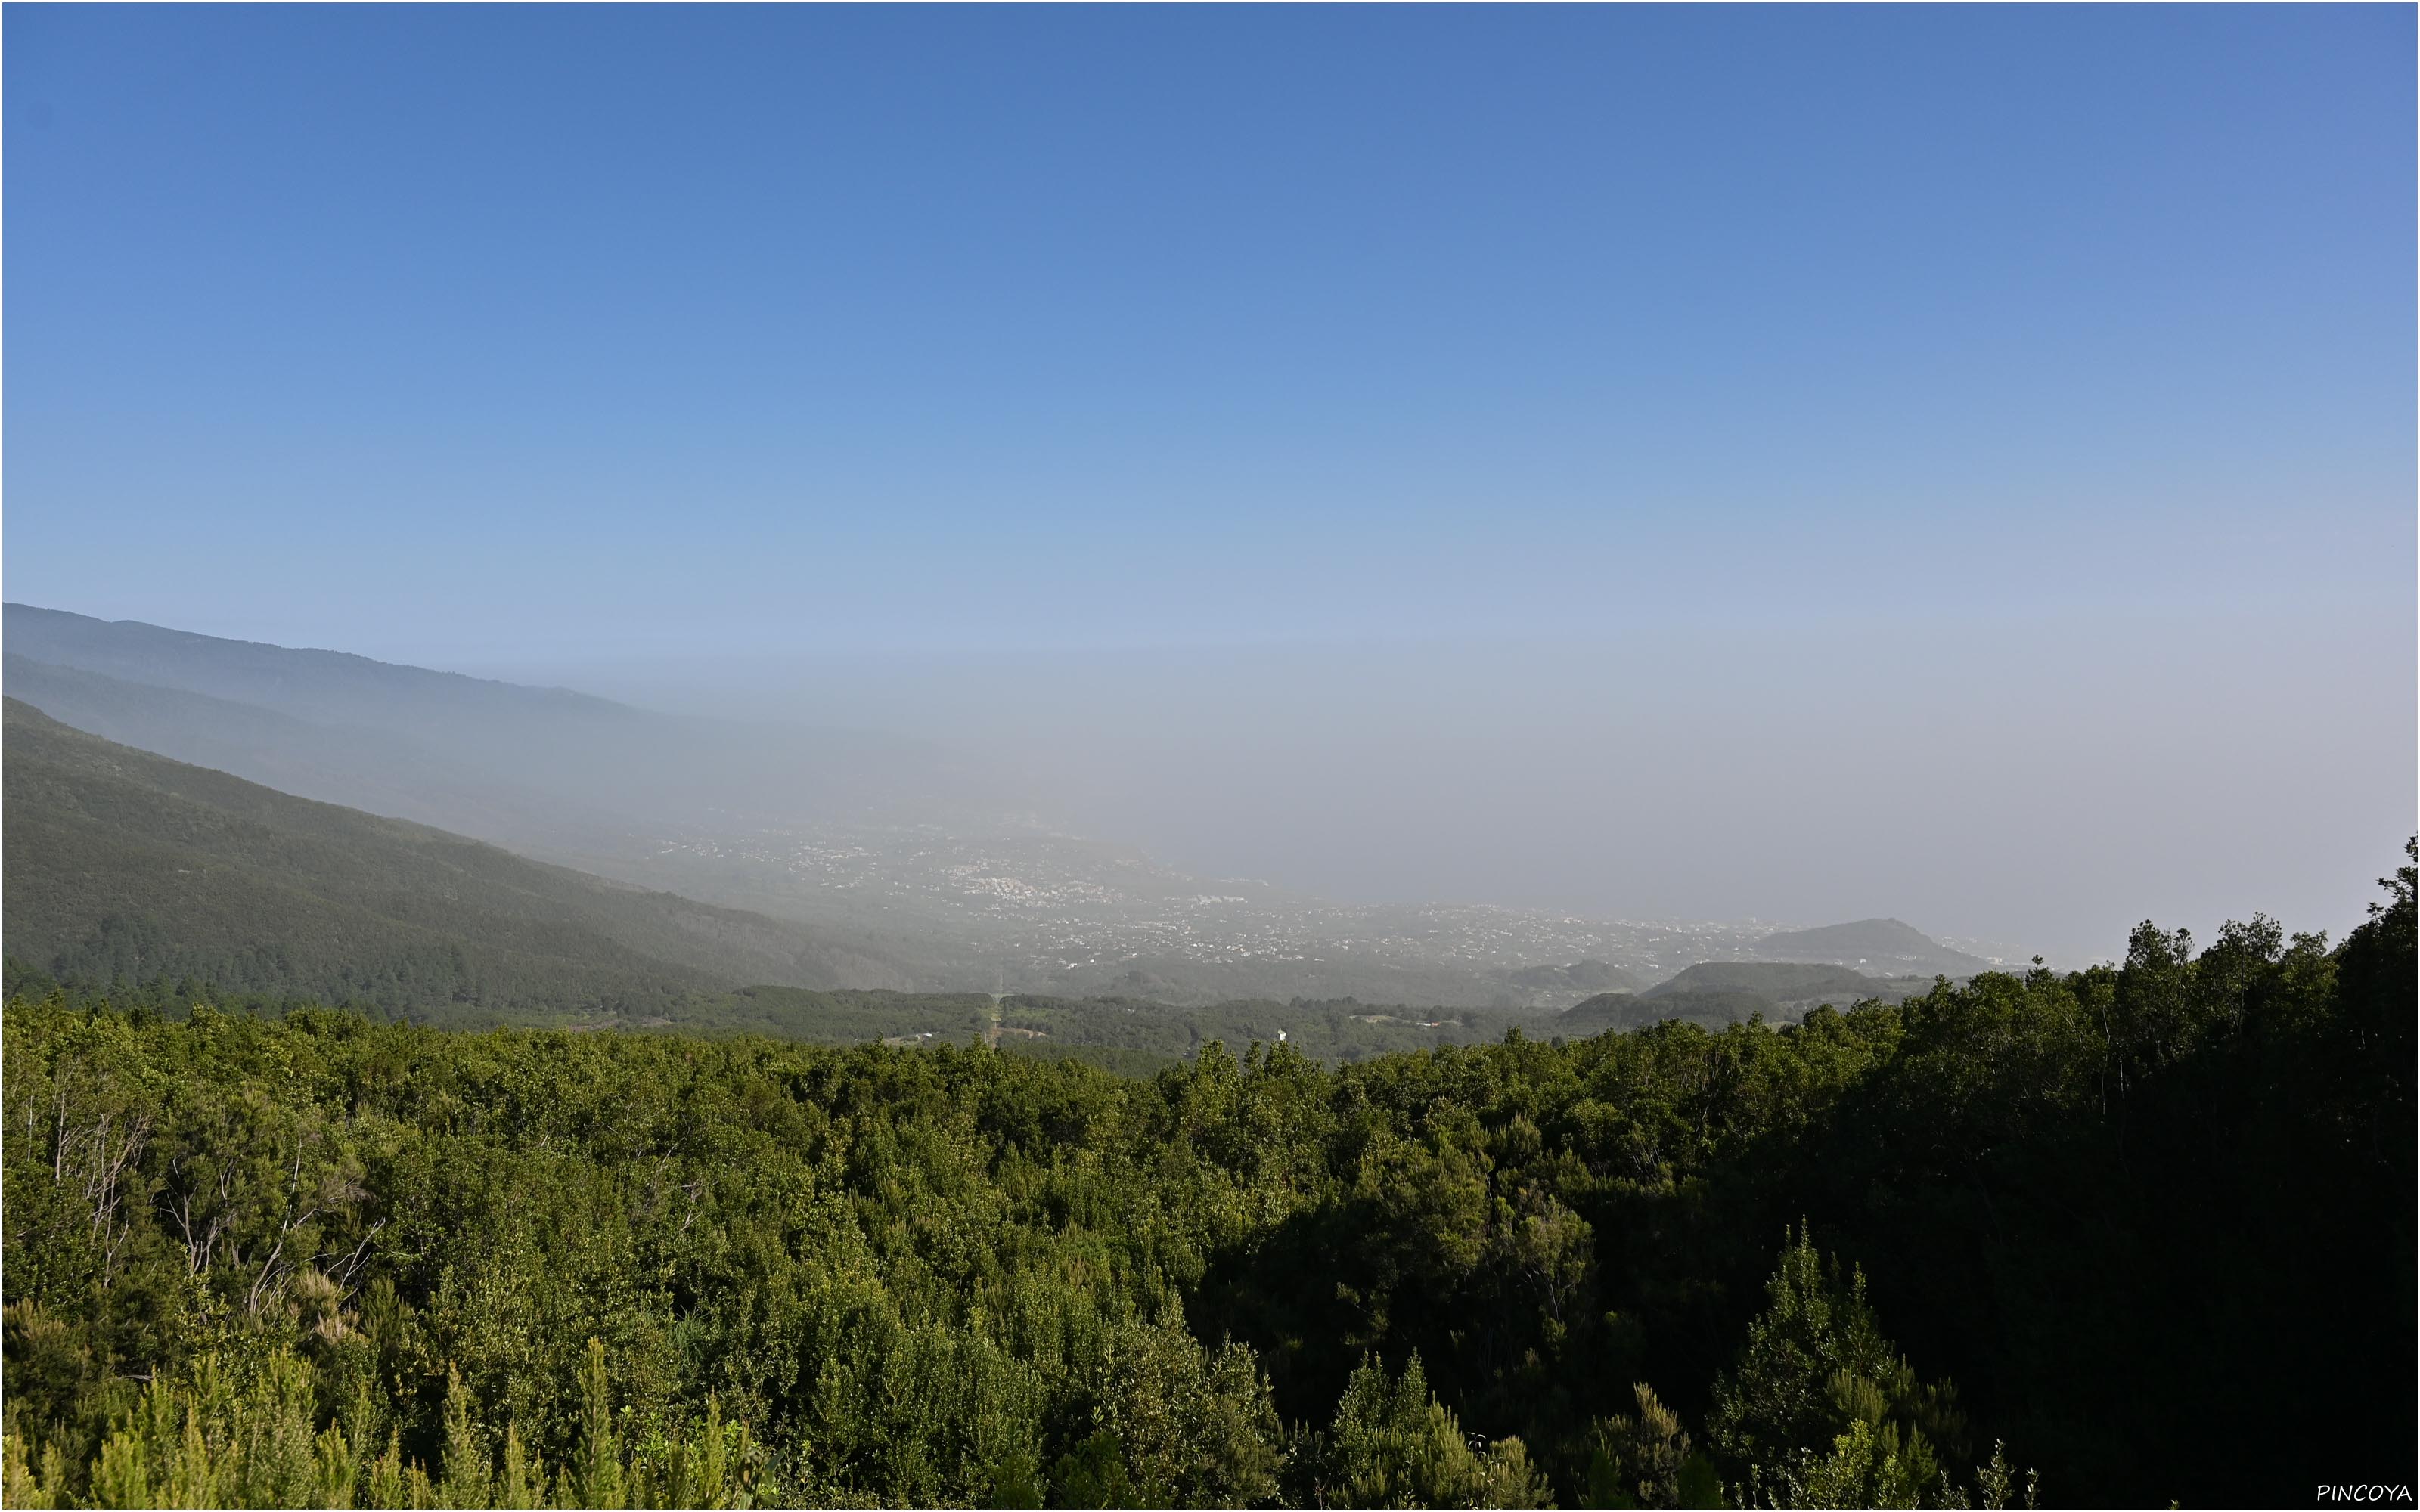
pixel 2005 785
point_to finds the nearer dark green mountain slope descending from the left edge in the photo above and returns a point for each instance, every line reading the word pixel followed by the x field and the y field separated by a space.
pixel 129 865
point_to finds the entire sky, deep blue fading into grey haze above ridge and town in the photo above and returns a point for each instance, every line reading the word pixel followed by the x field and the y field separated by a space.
pixel 1618 400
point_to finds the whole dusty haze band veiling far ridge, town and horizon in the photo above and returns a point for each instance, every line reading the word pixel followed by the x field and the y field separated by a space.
pixel 1497 829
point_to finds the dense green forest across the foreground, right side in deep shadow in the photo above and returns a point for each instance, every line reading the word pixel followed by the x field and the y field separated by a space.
pixel 2143 1230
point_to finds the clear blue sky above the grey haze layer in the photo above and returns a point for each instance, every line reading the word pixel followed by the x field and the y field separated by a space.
pixel 1088 328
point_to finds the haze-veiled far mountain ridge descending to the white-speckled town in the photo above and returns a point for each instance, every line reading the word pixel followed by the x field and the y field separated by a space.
pixel 906 855
